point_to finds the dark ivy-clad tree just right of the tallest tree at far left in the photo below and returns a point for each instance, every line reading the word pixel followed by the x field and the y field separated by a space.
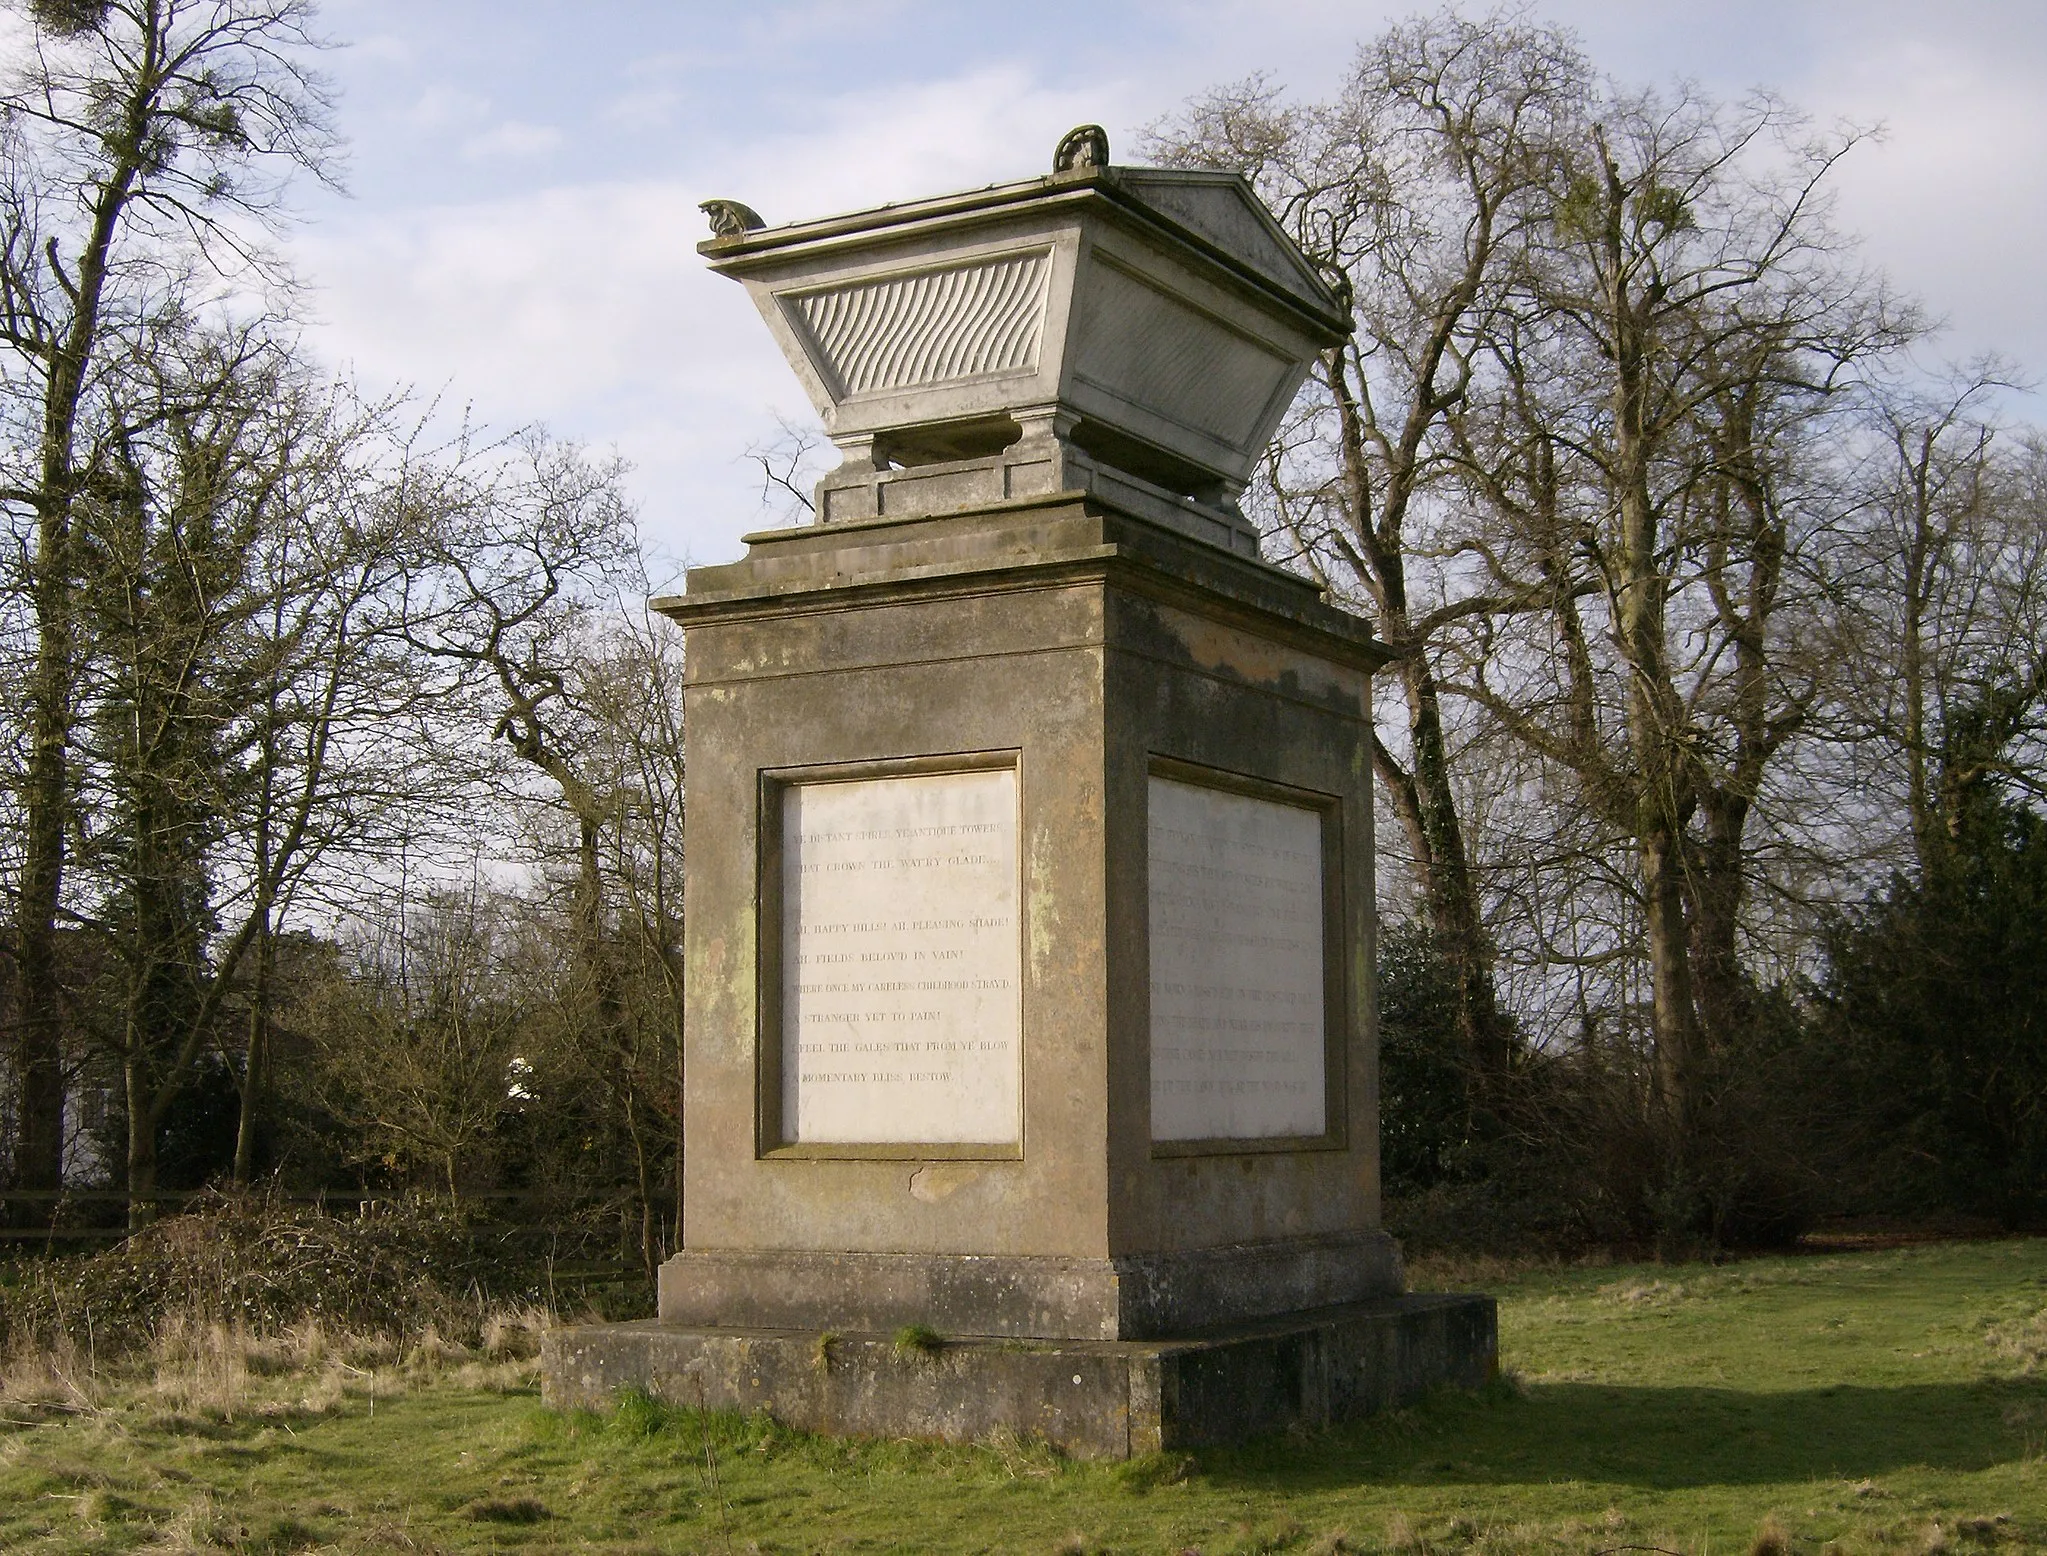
pixel 163 550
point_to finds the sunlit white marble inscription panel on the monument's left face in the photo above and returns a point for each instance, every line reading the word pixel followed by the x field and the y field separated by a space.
pixel 902 961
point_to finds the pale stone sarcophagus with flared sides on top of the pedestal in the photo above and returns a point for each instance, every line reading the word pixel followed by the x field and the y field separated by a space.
pixel 1131 333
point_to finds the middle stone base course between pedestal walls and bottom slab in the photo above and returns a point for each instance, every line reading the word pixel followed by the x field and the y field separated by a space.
pixel 1125 1297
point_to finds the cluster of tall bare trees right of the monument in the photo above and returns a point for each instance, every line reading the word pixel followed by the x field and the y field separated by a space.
pixel 1630 470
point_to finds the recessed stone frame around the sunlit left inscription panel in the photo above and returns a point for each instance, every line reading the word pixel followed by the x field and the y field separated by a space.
pixel 775 1131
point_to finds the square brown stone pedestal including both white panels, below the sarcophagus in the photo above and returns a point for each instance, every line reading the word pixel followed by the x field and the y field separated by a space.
pixel 1086 658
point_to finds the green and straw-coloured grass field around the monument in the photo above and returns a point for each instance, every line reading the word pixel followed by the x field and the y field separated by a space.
pixel 1890 1401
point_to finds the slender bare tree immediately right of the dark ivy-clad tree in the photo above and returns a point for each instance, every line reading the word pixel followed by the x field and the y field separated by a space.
pixel 343 728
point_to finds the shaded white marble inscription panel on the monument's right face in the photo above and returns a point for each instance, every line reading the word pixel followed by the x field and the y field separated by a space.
pixel 1237 988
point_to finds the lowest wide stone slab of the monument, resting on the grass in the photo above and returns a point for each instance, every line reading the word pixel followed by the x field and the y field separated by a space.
pixel 1094 1399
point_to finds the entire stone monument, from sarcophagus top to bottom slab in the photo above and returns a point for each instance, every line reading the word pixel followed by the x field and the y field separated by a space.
pixel 1031 1057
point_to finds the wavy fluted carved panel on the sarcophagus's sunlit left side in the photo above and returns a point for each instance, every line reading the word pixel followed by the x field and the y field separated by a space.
pixel 934 327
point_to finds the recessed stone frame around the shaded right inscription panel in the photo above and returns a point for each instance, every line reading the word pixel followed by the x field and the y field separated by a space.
pixel 1338 1017
